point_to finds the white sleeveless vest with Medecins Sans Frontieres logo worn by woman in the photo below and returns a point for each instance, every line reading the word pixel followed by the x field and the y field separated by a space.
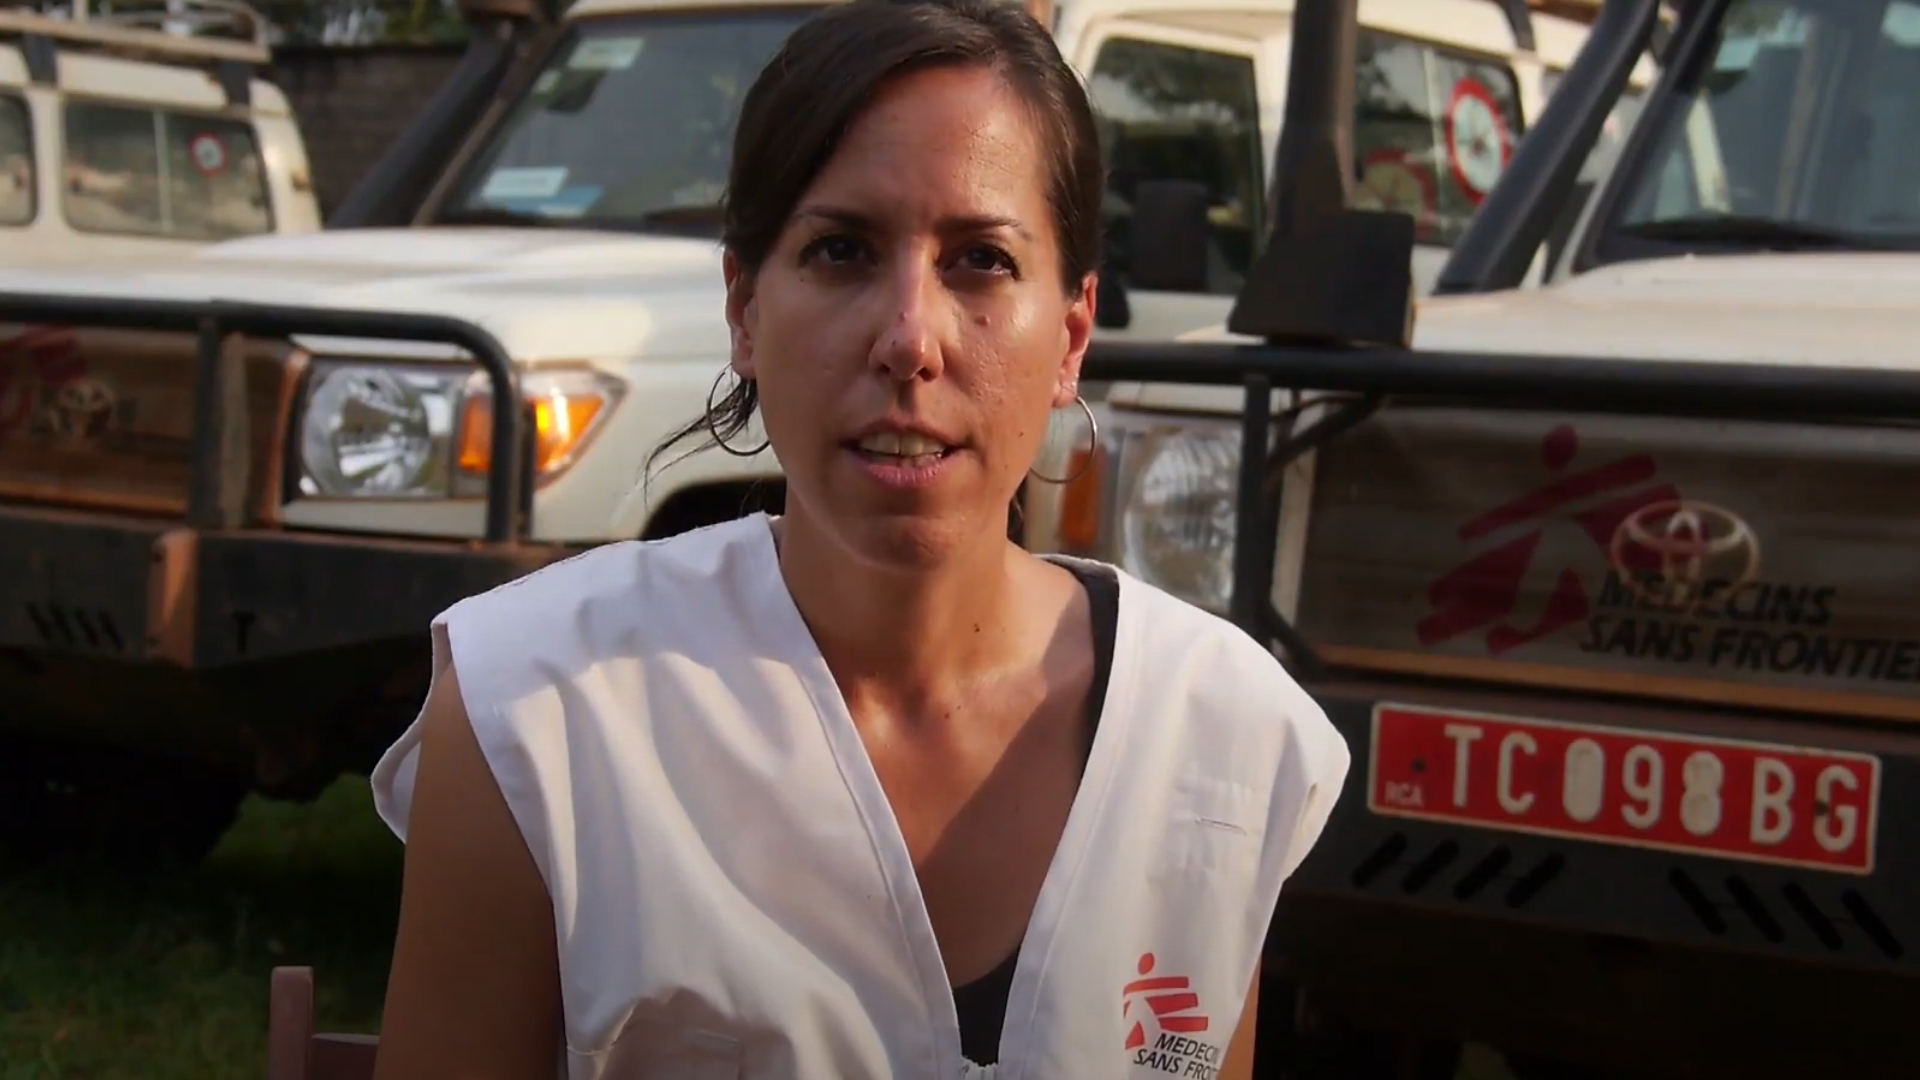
pixel 732 896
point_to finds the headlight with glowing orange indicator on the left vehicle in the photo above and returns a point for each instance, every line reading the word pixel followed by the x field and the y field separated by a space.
pixel 377 430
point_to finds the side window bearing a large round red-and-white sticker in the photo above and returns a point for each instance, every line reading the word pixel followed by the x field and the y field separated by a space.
pixel 1433 132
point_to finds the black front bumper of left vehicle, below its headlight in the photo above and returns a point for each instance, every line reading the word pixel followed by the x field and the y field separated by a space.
pixel 126 589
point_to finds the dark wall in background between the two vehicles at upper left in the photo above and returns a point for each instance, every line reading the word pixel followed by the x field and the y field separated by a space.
pixel 354 101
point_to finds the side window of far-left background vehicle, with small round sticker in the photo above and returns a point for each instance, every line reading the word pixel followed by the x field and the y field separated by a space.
pixel 151 172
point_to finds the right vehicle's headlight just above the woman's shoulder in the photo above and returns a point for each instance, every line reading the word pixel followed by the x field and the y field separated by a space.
pixel 1178 510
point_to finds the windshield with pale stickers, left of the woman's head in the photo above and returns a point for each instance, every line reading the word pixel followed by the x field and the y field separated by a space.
pixel 629 126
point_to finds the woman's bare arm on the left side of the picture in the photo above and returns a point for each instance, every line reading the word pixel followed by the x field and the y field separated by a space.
pixel 475 991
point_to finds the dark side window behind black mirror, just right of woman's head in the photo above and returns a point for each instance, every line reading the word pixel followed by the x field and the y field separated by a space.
pixel 1182 114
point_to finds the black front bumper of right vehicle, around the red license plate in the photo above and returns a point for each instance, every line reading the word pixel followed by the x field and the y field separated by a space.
pixel 1867 921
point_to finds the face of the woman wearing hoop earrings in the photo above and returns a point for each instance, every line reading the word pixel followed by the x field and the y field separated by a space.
pixel 909 331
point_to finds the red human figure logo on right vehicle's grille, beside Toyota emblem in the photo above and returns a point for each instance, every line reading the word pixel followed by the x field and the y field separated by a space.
pixel 1485 591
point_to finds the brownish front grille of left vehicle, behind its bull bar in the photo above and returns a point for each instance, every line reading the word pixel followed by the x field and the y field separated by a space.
pixel 105 418
